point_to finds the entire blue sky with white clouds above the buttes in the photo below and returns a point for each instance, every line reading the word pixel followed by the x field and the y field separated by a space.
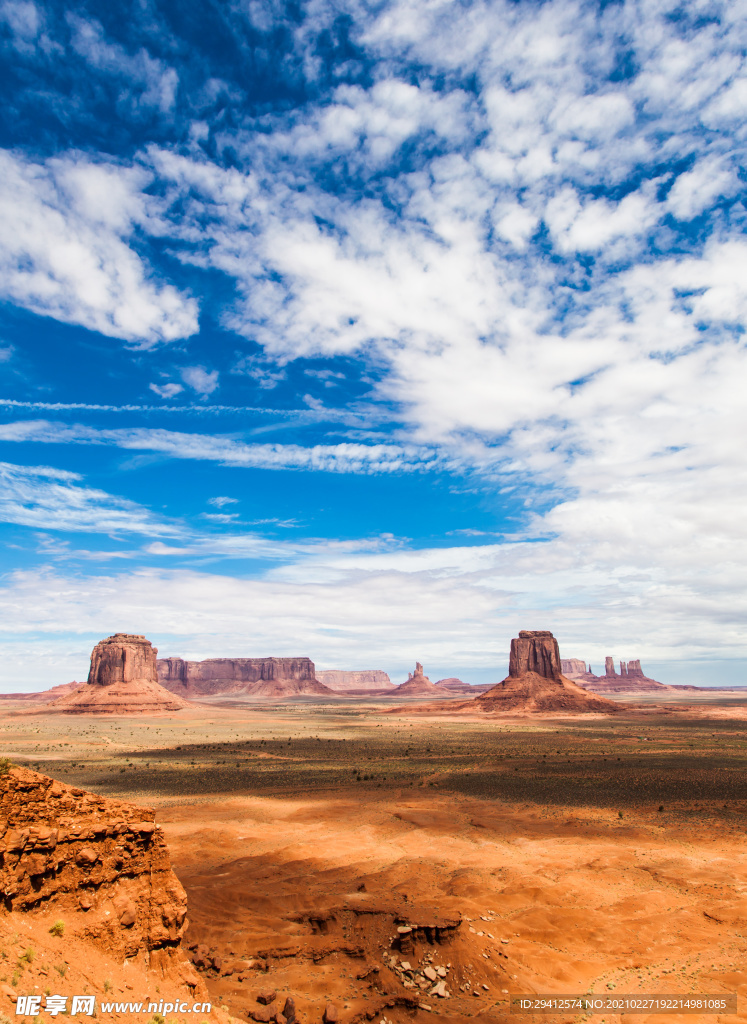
pixel 373 332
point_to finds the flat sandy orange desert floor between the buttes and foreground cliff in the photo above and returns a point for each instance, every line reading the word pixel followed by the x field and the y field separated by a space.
pixel 527 857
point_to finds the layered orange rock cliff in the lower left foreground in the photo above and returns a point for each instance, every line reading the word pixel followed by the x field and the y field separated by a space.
pixel 104 862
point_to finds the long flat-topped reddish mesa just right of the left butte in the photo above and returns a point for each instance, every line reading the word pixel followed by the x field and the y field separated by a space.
pixel 254 676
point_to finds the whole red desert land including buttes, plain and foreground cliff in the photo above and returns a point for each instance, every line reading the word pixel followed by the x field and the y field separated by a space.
pixel 340 858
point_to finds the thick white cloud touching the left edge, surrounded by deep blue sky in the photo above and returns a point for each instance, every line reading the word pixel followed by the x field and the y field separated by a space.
pixel 64 251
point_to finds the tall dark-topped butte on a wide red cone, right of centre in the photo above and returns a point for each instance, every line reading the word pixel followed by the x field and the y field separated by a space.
pixel 535 684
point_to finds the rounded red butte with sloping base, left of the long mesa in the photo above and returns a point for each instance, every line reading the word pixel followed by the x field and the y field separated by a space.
pixel 122 680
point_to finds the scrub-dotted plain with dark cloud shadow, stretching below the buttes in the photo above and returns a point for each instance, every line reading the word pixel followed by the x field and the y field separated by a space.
pixel 620 764
